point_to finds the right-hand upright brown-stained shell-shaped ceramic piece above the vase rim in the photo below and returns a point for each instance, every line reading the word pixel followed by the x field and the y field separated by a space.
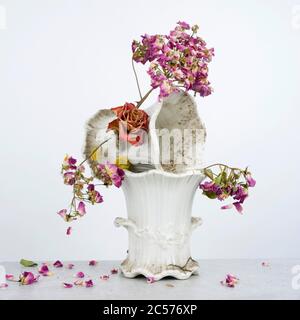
pixel 179 133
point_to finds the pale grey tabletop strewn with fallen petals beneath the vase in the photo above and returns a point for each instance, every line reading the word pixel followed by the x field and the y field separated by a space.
pixel 256 282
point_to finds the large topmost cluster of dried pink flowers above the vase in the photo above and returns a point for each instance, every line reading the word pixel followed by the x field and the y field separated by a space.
pixel 179 59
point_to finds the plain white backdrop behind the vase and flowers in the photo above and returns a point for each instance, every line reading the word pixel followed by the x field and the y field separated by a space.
pixel 60 61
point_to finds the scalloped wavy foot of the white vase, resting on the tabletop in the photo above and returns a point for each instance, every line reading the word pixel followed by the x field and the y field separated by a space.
pixel 130 270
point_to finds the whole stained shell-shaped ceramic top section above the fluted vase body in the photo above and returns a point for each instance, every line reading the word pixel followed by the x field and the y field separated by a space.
pixel 174 142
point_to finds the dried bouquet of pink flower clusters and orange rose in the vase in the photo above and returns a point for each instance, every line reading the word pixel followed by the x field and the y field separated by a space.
pixel 176 62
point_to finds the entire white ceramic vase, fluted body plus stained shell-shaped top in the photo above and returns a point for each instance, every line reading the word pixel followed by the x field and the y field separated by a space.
pixel 159 200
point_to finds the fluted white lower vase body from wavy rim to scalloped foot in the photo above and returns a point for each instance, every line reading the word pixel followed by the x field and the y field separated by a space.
pixel 159 224
